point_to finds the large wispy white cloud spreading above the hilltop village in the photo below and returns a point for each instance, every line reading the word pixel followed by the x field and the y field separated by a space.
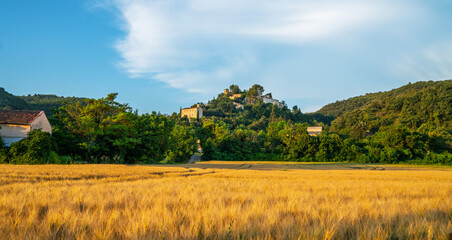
pixel 198 44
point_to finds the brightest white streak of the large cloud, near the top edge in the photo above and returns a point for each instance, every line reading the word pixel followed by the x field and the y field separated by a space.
pixel 303 22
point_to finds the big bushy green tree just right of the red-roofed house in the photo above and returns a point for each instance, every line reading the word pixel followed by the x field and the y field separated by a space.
pixel 102 129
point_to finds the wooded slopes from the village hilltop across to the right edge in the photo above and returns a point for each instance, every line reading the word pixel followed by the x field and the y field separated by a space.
pixel 411 123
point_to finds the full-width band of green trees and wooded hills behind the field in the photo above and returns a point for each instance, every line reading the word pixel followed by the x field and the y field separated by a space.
pixel 409 124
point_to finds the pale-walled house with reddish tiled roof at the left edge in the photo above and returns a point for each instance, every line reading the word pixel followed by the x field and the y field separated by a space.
pixel 16 124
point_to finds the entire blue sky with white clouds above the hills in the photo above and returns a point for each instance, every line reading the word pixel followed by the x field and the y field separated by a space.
pixel 160 55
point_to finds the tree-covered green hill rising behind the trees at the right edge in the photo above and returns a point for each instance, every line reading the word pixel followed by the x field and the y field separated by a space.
pixel 425 107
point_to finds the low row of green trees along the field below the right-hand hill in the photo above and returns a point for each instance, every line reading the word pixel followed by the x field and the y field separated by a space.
pixel 288 141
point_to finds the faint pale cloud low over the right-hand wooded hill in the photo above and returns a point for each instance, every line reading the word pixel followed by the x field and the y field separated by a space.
pixel 432 63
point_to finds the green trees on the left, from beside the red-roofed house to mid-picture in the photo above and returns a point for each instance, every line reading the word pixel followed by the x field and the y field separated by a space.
pixel 105 131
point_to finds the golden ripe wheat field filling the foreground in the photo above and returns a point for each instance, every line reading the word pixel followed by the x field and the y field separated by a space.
pixel 187 202
